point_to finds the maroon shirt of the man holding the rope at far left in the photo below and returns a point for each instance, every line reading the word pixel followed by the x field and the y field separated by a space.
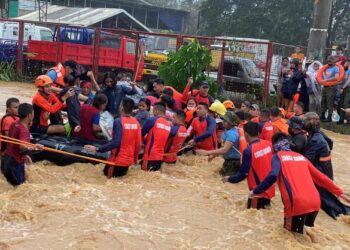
pixel 21 132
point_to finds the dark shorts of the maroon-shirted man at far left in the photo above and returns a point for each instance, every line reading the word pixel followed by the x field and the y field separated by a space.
pixel 13 171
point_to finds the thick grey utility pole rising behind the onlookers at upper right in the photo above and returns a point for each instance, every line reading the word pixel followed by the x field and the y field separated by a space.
pixel 319 30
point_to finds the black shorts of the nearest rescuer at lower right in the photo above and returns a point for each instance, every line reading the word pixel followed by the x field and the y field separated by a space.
pixel 296 223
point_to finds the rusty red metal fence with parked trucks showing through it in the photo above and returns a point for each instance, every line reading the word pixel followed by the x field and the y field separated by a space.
pixel 239 65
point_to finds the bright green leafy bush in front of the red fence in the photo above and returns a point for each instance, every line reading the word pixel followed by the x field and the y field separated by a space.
pixel 189 60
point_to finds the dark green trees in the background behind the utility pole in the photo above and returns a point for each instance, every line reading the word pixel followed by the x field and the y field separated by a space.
pixel 283 21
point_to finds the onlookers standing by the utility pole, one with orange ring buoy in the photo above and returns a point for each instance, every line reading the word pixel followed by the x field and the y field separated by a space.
pixel 323 96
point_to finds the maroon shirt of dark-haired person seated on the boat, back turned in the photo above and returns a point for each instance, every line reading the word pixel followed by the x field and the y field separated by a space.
pixel 87 113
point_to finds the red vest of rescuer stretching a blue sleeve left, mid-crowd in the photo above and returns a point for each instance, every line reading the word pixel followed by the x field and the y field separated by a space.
pixel 199 127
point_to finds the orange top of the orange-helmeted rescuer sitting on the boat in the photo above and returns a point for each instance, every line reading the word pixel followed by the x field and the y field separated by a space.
pixel 43 107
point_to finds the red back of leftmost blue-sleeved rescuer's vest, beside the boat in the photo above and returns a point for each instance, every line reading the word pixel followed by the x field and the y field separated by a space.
pixel 130 144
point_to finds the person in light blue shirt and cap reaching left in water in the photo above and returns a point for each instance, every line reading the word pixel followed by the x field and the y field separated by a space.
pixel 230 149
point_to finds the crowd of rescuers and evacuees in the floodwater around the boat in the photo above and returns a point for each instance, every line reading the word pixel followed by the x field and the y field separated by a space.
pixel 257 144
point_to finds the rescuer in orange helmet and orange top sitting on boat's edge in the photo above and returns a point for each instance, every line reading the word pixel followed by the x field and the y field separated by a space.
pixel 46 104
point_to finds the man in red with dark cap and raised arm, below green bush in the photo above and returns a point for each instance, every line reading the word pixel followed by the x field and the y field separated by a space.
pixel 201 95
